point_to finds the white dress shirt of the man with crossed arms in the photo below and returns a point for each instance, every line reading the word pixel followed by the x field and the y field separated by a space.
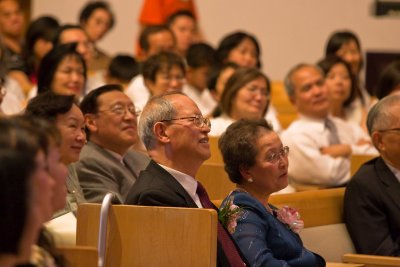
pixel 307 165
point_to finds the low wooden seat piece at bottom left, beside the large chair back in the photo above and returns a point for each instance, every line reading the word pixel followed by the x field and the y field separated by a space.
pixel 80 256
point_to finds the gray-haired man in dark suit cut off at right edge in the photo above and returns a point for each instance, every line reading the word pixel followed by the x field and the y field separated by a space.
pixel 371 201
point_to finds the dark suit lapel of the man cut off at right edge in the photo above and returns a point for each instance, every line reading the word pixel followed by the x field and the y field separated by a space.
pixel 391 184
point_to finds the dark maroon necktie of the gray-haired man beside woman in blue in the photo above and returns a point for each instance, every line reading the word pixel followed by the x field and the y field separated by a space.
pixel 227 243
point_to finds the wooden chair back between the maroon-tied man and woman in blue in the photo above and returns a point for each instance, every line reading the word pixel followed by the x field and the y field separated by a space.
pixel 216 181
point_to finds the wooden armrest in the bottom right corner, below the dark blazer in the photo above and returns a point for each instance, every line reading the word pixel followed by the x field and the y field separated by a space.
pixel 371 260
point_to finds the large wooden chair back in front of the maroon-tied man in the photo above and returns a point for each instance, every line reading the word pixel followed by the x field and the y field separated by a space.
pixel 152 236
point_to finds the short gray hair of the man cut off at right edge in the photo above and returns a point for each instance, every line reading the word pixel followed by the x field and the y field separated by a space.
pixel 380 116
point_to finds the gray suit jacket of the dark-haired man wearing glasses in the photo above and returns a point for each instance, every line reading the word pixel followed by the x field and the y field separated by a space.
pixel 99 172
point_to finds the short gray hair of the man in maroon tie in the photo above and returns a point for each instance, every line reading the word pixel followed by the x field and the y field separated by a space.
pixel 158 108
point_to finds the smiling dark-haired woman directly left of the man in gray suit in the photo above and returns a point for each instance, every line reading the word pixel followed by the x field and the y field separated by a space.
pixel 63 111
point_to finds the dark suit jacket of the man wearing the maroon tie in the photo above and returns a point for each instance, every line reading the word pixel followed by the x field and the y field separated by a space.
pixel 156 187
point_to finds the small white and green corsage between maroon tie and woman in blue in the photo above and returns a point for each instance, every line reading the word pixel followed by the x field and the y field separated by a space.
pixel 228 215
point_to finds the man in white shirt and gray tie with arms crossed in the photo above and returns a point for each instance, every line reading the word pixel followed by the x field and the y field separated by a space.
pixel 321 144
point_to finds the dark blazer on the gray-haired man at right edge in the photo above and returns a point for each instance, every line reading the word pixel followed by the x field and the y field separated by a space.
pixel 372 209
